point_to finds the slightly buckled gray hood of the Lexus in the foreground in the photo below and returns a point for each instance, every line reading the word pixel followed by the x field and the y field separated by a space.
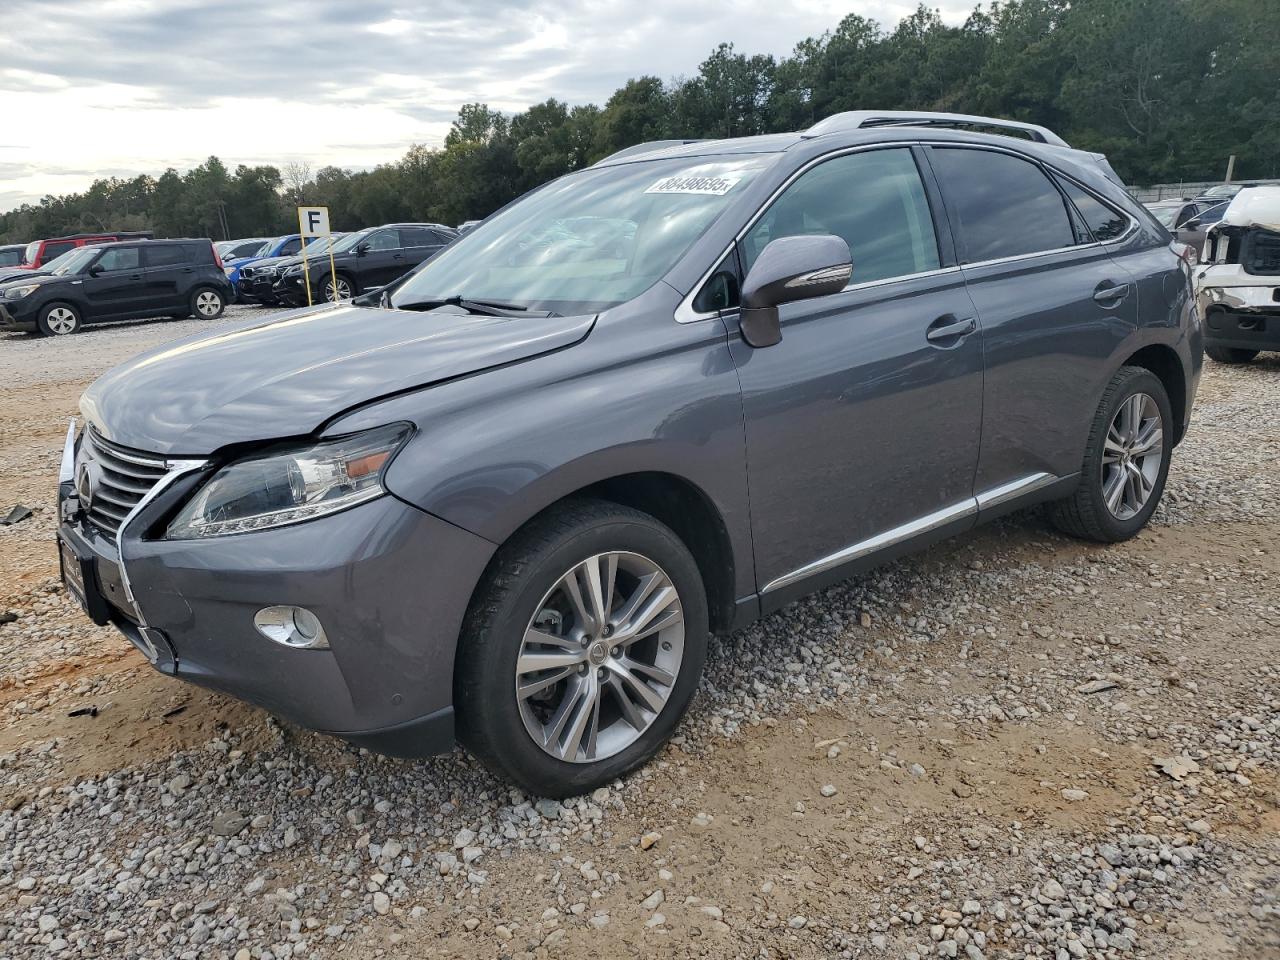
pixel 289 376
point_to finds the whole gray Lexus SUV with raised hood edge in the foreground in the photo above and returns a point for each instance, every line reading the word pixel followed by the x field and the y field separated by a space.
pixel 509 501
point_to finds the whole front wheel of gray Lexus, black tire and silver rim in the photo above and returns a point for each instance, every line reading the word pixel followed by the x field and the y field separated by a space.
pixel 583 650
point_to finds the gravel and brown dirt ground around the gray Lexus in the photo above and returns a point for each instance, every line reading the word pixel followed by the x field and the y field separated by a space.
pixel 1011 746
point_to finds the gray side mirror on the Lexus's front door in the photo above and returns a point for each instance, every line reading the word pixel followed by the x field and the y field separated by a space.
pixel 790 269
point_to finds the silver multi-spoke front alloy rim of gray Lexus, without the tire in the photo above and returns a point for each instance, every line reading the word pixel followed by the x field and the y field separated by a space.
pixel 601 657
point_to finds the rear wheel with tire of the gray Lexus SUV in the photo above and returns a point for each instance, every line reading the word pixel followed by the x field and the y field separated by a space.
pixel 1126 461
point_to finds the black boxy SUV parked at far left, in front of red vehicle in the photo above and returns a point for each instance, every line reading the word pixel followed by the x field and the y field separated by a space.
pixel 131 280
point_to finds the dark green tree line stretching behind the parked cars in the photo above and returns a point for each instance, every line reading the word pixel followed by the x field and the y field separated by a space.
pixel 1168 89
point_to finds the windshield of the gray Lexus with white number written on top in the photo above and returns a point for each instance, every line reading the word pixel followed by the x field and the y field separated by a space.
pixel 588 241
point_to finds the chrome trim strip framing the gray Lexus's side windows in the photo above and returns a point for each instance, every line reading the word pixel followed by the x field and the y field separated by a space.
pixel 685 313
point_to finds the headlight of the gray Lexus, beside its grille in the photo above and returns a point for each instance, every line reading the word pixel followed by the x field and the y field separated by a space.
pixel 290 486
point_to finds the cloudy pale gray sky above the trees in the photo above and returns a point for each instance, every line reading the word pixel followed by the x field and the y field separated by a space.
pixel 118 88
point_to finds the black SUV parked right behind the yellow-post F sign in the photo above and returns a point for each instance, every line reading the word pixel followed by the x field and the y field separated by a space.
pixel 362 262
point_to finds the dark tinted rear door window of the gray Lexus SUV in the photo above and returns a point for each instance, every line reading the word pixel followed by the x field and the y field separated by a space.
pixel 1007 207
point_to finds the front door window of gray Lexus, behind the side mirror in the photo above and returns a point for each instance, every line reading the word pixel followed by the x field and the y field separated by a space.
pixel 874 200
